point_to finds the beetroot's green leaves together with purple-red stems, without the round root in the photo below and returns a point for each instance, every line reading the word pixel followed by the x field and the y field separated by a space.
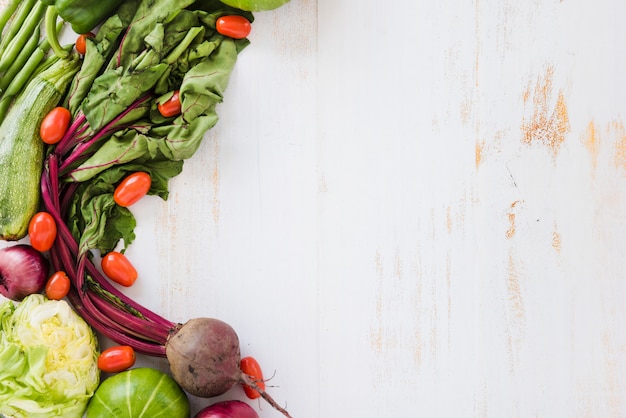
pixel 149 50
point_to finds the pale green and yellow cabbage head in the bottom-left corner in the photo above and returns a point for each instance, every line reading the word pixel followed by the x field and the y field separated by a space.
pixel 48 359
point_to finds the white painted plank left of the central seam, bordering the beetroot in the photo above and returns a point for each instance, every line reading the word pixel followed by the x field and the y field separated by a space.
pixel 239 232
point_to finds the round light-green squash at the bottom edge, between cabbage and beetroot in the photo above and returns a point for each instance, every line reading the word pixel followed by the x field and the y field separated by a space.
pixel 139 392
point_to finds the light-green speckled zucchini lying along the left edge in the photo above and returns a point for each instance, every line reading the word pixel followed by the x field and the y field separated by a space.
pixel 21 148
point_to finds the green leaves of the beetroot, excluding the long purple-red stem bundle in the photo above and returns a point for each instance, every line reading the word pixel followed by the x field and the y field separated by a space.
pixel 168 45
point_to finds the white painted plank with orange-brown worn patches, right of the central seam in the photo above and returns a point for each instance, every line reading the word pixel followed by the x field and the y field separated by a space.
pixel 454 221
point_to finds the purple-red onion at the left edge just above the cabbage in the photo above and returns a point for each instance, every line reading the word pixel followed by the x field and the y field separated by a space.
pixel 23 271
